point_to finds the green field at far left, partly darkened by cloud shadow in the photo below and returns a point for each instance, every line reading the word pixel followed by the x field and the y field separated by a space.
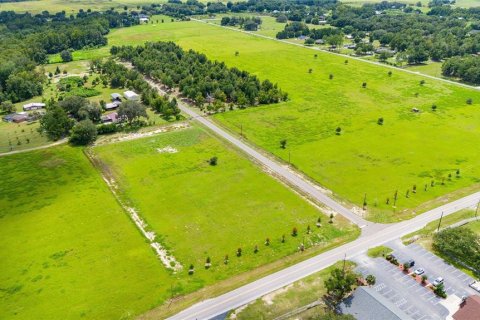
pixel 67 249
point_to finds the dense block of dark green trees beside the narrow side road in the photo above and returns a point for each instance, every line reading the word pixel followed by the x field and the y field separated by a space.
pixel 198 78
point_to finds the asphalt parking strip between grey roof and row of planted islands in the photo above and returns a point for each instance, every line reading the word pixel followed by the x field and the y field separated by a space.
pixel 415 300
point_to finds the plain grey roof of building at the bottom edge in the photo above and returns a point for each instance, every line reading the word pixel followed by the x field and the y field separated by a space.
pixel 366 304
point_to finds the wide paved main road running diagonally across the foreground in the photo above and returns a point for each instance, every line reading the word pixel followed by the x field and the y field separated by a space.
pixel 210 308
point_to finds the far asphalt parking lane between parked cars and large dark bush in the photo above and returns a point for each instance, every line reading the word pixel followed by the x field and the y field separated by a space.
pixel 456 281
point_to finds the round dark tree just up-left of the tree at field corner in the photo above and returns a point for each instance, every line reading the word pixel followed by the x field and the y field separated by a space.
pixel 55 123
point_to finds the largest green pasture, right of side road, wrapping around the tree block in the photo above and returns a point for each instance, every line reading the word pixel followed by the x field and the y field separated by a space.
pixel 367 159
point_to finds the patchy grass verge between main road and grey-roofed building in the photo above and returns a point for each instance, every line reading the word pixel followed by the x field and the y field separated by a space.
pixel 294 296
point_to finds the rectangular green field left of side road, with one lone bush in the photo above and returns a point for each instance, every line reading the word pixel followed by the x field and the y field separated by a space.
pixel 199 210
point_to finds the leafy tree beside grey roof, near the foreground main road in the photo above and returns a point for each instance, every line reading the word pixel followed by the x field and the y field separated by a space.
pixel 339 285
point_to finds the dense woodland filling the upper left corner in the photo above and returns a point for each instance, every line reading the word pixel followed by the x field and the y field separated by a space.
pixel 26 40
